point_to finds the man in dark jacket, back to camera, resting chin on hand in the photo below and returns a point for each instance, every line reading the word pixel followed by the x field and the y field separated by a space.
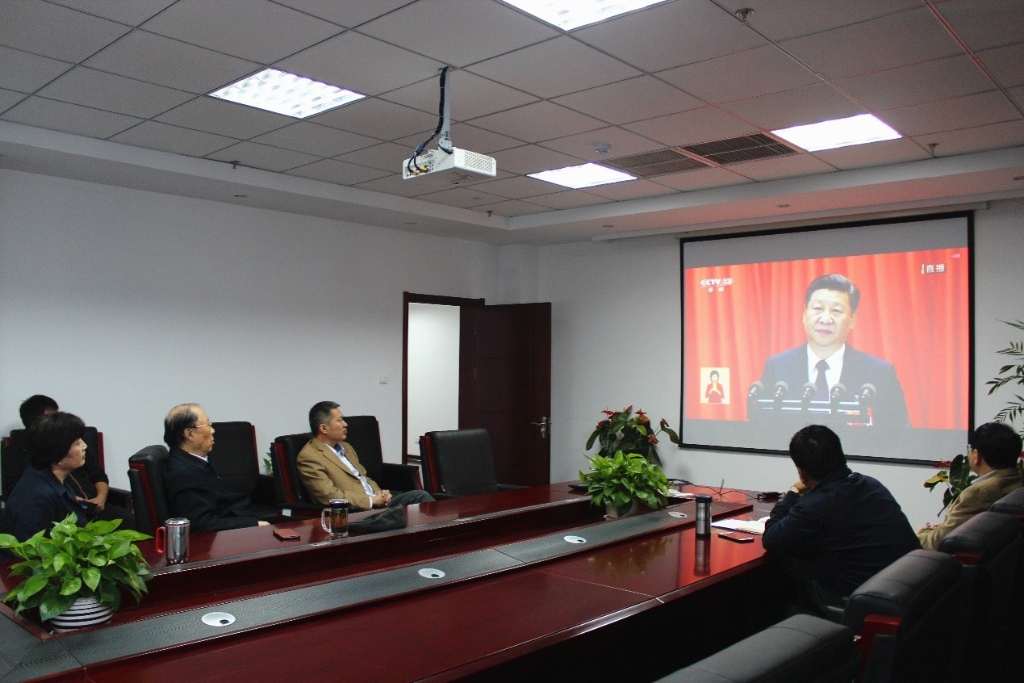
pixel 842 527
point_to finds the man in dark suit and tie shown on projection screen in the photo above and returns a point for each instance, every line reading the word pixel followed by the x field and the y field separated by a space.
pixel 833 367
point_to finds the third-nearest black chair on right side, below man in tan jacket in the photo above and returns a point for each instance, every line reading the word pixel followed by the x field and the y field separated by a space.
pixel 989 545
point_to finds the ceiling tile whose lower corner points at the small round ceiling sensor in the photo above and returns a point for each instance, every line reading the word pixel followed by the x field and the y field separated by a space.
pixel 636 99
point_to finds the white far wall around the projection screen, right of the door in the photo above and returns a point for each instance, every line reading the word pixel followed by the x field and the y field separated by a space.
pixel 616 334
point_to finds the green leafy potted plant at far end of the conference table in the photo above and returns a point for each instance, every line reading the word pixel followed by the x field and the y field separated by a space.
pixel 620 482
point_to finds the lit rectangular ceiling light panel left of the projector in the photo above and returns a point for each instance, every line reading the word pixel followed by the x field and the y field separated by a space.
pixel 286 94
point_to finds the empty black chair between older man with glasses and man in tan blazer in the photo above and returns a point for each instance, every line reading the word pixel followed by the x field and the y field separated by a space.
pixel 236 460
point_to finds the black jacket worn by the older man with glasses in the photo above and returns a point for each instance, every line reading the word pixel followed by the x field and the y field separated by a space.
pixel 196 493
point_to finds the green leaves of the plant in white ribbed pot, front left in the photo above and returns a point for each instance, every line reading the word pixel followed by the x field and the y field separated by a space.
pixel 76 562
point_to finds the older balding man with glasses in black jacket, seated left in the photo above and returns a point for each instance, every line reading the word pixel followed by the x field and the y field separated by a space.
pixel 193 488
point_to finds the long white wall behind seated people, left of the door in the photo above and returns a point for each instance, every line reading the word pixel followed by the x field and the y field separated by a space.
pixel 121 305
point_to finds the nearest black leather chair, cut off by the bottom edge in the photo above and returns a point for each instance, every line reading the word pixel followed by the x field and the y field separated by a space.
pixel 802 649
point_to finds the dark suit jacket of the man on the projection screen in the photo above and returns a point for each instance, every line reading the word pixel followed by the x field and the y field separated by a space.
pixel 889 409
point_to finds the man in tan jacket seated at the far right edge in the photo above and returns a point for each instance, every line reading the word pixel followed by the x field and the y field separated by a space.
pixel 993 455
